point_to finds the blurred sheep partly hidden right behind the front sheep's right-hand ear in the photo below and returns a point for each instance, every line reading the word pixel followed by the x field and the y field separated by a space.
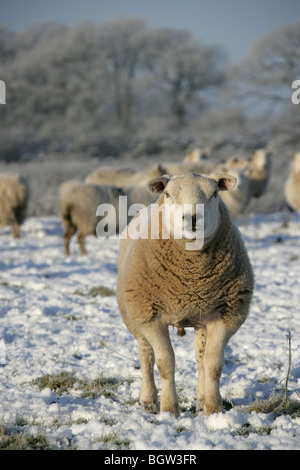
pixel 238 198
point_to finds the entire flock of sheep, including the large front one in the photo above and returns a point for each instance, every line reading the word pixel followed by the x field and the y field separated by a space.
pixel 161 283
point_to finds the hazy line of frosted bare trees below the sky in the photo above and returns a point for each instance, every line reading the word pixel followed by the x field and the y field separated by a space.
pixel 96 88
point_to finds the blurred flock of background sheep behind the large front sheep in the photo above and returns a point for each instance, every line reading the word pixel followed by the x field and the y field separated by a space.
pixel 79 200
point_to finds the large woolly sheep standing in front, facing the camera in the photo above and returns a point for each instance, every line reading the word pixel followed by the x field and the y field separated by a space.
pixel 164 282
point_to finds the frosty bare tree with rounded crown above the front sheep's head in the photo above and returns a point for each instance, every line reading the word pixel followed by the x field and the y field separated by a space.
pixel 183 67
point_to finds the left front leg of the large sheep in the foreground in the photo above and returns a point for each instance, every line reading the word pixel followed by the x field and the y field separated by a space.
pixel 158 337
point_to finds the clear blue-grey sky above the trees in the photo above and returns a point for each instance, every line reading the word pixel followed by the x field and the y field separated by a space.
pixel 234 24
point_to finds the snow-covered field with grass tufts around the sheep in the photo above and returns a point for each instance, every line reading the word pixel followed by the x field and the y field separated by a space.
pixel 51 323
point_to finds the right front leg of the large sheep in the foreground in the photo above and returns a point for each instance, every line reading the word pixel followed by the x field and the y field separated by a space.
pixel 213 360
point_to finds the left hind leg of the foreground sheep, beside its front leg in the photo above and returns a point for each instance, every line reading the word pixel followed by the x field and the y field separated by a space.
pixel 148 396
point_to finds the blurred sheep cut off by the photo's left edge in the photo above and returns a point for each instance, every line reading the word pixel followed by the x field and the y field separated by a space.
pixel 14 195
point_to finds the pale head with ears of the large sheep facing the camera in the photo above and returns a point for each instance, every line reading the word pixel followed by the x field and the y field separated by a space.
pixel 193 200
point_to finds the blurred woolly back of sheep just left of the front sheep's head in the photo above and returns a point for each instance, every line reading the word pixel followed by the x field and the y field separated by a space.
pixel 123 177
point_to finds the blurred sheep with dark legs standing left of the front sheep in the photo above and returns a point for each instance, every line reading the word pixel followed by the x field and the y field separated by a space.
pixel 78 206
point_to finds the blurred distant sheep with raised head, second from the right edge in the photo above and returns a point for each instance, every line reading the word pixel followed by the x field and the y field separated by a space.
pixel 260 170
